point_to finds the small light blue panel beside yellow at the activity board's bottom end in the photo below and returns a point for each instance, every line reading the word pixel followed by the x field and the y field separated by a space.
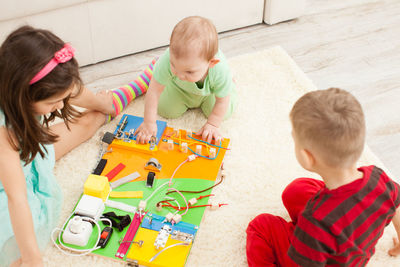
pixel 157 223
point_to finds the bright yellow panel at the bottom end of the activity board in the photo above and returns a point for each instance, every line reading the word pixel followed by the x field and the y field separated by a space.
pixel 174 257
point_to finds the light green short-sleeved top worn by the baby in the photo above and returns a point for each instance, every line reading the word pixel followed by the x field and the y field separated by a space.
pixel 218 81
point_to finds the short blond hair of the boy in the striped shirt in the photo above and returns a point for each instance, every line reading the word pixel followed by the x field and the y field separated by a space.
pixel 331 123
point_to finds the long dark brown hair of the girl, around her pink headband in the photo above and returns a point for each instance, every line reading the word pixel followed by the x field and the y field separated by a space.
pixel 22 55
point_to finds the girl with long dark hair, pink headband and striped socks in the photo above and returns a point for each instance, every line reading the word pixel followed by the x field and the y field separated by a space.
pixel 39 80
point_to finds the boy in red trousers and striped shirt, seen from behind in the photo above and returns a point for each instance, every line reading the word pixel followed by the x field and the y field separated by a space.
pixel 337 221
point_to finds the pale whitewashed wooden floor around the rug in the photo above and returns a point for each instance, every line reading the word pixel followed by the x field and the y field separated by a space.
pixel 352 44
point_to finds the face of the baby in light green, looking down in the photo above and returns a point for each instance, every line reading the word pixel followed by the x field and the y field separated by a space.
pixel 191 68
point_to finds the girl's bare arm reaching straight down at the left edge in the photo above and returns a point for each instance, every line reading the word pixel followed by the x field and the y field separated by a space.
pixel 13 181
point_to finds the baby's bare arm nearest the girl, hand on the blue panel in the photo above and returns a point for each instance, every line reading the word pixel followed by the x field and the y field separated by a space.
pixel 149 127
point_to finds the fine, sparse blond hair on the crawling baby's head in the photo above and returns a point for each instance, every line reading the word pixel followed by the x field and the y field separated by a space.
pixel 194 33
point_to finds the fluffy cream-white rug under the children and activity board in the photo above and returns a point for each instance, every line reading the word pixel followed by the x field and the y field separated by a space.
pixel 259 166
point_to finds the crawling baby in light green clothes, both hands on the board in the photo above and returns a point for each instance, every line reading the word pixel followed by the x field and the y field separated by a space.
pixel 192 73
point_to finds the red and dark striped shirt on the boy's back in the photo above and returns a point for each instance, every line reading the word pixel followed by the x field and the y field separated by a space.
pixel 340 227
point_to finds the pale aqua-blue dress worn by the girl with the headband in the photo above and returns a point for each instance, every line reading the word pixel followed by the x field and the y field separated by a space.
pixel 45 201
